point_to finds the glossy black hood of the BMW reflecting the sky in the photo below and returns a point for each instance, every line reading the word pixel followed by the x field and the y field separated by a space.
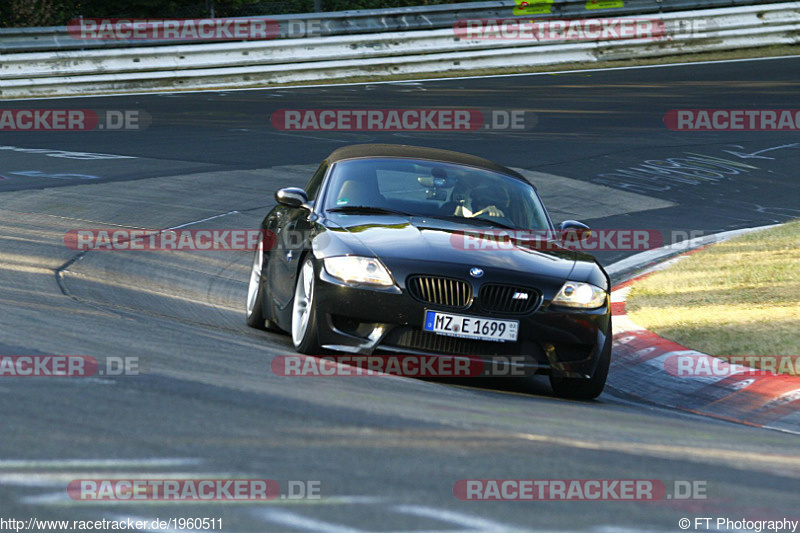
pixel 400 239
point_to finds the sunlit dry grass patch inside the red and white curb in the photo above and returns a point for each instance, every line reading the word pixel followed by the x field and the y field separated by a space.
pixel 740 297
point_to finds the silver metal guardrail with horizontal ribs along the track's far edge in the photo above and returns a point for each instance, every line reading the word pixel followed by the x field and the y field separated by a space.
pixel 257 63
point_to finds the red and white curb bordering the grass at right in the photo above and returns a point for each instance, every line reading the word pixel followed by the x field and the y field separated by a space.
pixel 731 392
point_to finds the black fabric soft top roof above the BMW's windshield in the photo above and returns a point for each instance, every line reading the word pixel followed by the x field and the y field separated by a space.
pixel 418 152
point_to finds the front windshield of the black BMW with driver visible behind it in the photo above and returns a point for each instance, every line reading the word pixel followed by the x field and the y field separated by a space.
pixel 434 189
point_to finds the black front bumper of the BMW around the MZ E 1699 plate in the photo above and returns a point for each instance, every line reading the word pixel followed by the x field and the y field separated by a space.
pixel 567 342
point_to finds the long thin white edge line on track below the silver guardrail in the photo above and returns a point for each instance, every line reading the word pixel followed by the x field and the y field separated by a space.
pixel 402 82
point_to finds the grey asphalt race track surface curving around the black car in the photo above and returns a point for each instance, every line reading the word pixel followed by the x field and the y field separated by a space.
pixel 387 451
